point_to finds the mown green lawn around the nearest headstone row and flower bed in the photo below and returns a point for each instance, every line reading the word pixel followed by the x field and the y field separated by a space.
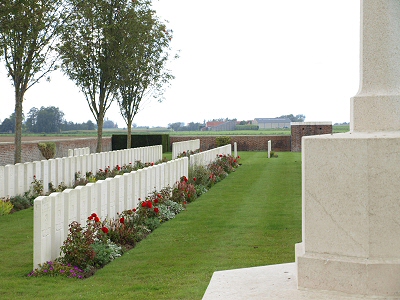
pixel 251 218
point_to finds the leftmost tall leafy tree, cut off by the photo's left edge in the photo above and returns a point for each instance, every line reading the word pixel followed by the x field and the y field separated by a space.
pixel 27 35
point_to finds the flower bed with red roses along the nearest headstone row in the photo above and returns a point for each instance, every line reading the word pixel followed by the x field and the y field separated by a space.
pixel 90 247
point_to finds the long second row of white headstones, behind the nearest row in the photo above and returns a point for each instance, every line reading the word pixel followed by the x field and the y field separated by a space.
pixel 17 179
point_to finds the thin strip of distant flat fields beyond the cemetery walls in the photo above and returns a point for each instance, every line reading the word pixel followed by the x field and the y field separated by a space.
pixel 93 133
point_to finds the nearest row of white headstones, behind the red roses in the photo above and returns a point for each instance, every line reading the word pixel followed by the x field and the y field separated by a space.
pixel 106 198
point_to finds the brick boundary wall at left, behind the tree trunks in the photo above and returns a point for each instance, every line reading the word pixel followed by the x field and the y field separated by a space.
pixel 30 151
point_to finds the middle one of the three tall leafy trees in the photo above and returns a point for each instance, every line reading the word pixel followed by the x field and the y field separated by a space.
pixel 89 50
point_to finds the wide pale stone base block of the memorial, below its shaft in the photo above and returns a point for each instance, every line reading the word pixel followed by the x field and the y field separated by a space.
pixel 351 219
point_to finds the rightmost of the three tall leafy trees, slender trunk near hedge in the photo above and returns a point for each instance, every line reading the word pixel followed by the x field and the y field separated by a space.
pixel 142 72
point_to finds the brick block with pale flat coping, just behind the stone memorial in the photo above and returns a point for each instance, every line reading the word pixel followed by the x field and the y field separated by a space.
pixel 300 129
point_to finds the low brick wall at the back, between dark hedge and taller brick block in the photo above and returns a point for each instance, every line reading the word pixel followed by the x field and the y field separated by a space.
pixel 244 142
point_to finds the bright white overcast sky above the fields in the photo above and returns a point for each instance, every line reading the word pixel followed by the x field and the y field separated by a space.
pixel 238 59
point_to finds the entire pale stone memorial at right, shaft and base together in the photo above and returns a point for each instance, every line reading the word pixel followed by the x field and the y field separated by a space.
pixel 351 200
